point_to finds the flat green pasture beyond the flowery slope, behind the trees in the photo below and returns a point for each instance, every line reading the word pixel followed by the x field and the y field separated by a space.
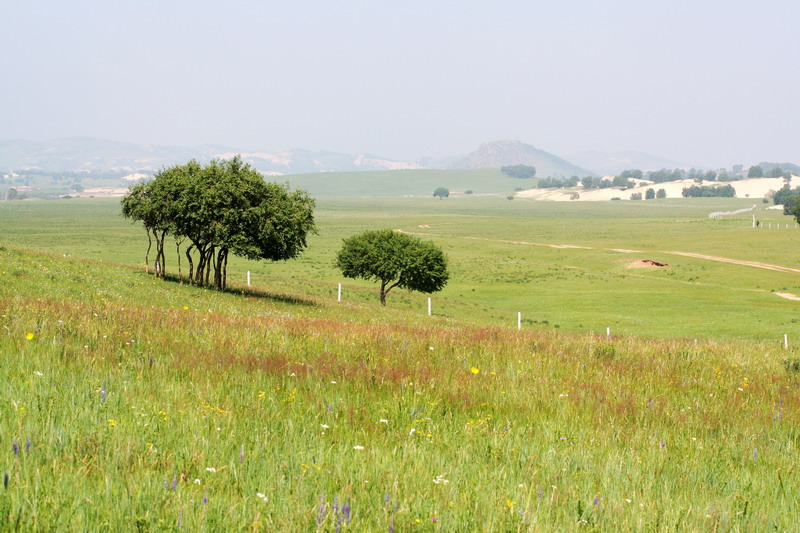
pixel 503 260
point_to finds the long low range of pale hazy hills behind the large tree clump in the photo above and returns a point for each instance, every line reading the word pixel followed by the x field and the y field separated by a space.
pixel 80 153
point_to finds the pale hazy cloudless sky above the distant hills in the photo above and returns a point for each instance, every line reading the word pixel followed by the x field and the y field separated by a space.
pixel 705 82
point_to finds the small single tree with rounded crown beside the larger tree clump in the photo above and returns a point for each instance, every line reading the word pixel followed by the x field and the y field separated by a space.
pixel 395 260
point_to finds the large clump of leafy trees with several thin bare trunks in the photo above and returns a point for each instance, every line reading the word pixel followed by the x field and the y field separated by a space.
pixel 222 208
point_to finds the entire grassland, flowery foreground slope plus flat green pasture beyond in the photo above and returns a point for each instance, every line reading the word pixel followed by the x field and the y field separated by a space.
pixel 134 404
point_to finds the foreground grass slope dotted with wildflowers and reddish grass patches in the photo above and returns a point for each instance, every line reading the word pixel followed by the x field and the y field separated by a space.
pixel 131 403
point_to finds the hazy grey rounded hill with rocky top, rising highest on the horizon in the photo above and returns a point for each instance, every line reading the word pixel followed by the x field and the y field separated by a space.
pixel 498 154
